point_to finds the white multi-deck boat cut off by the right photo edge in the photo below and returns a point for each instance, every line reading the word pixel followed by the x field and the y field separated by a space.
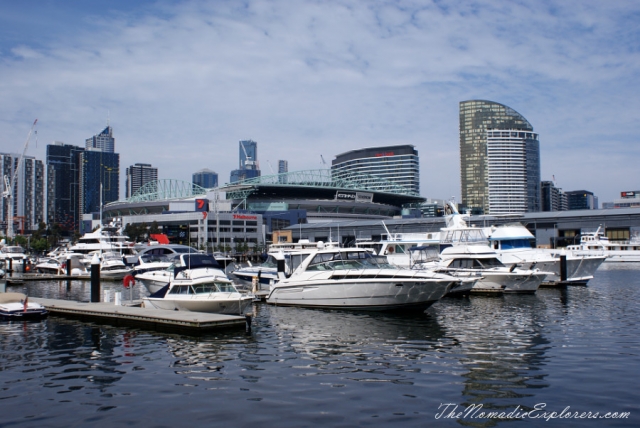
pixel 596 243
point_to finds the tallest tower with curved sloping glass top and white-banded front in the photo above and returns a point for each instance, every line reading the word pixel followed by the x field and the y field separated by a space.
pixel 499 159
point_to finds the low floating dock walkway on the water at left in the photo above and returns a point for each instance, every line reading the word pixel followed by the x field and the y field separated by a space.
pixel 155 319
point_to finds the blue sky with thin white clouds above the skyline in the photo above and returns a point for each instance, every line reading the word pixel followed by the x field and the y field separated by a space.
pixel 182 82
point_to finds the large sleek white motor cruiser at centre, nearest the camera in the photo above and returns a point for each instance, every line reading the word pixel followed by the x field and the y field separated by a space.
pixel 353 278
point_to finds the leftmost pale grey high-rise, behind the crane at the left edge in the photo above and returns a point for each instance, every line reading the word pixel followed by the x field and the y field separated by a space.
pixel 27 192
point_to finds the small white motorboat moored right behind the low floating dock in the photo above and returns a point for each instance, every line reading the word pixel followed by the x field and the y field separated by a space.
pixel 200 288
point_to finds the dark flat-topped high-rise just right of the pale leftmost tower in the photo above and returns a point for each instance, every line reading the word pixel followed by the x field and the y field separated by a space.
pixel 63 165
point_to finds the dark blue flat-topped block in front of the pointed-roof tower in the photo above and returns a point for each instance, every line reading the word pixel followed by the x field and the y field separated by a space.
pixel 98 170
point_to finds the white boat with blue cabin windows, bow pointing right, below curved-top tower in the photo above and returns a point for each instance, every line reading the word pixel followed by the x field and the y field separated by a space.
pixel 514 245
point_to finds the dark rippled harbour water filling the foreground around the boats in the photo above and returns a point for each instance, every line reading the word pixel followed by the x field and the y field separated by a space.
pixel 577 347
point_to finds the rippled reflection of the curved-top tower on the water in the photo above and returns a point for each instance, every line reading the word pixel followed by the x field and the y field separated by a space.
pixel 501 346
